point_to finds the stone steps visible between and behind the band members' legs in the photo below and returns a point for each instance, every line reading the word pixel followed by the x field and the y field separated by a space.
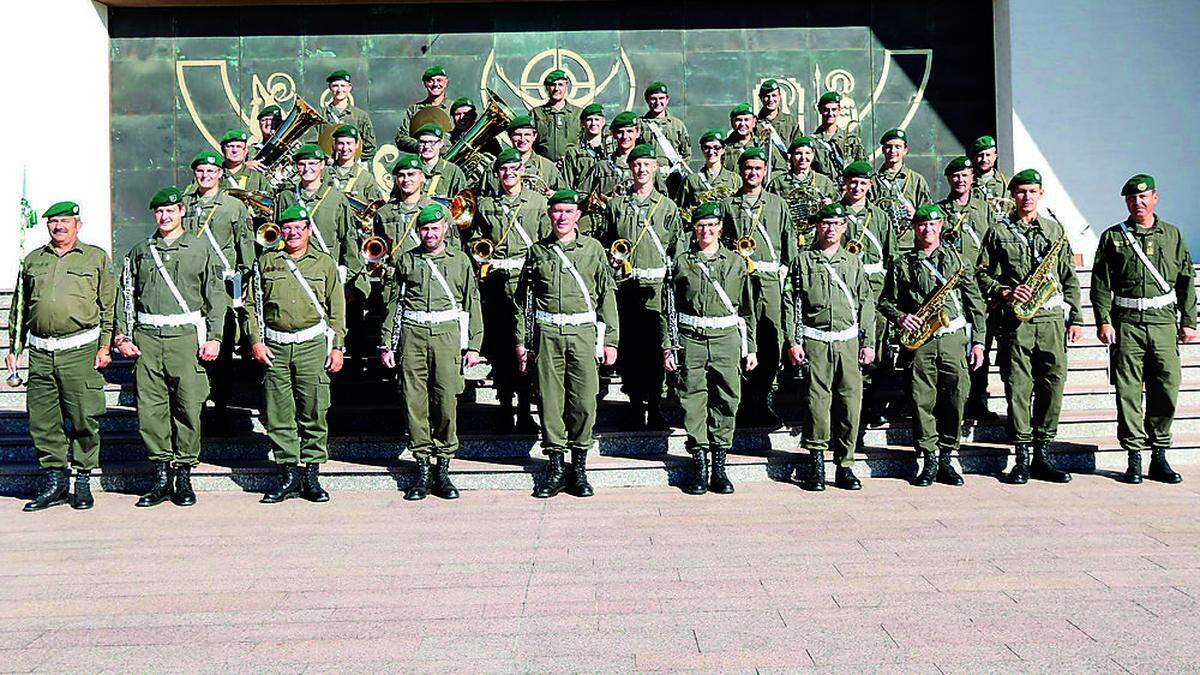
pixel 365 443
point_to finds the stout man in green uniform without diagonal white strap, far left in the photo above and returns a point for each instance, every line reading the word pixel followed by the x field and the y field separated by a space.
pixel 63 310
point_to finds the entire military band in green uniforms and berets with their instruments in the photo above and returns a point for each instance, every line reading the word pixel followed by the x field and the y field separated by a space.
pixel 562 244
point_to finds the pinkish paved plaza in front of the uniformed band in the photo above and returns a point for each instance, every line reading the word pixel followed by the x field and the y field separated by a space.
pixel 1090 577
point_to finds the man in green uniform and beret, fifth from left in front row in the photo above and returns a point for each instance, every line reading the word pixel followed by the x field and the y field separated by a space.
pixel 569 324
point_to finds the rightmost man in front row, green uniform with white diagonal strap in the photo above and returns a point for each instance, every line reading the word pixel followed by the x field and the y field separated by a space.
pixel 1145 302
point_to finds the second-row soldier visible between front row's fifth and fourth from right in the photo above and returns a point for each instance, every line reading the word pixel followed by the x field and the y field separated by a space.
pixel 765 219
